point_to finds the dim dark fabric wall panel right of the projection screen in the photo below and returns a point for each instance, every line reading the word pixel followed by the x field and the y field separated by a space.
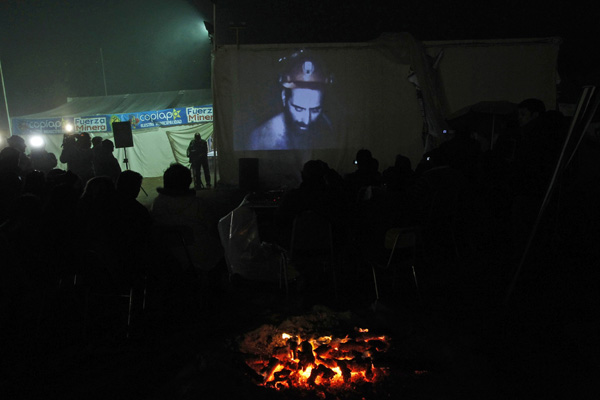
pixel 497 70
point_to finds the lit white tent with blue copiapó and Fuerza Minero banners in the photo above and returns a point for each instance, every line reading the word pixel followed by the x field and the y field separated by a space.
pixel 162 125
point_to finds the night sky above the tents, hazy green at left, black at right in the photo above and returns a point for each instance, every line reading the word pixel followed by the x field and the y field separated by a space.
pixel 50 50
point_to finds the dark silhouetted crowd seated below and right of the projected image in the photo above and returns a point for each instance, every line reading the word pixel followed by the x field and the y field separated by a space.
pixel 477 195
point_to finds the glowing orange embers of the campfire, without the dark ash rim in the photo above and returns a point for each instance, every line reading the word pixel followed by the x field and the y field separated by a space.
pixel 320 363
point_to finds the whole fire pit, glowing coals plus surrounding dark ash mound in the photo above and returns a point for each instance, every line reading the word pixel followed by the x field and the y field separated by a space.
pixel 303 355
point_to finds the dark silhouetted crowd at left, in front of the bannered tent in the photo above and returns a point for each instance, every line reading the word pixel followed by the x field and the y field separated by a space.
pixel 57 231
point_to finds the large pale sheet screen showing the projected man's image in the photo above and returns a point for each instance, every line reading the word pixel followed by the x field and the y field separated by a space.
pixel 286 105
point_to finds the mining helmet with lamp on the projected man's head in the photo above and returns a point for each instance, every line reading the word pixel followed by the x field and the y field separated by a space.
pixel 303 70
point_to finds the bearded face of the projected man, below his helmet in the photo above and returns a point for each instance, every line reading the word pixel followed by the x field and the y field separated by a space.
pixel 302 108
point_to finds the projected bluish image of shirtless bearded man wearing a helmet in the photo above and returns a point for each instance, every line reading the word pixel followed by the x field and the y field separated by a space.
pixel 302 122
